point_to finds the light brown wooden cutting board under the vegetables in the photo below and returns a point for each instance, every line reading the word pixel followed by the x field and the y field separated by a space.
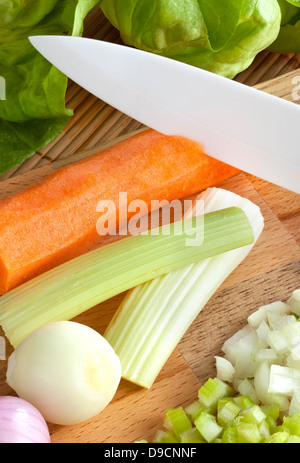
pixel 271 272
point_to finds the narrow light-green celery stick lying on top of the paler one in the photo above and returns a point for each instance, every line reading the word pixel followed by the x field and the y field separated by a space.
pixel 74 287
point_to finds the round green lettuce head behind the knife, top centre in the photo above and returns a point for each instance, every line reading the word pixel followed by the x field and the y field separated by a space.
pixel 220 36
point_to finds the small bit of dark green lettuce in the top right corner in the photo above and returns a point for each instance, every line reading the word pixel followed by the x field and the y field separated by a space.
pixel 288 40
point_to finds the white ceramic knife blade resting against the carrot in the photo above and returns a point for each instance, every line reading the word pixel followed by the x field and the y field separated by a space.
pixel 239 125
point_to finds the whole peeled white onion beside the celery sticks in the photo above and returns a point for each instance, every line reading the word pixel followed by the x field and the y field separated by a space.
pixel 68 371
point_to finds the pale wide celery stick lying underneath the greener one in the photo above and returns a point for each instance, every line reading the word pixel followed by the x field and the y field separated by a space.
pixel 154 316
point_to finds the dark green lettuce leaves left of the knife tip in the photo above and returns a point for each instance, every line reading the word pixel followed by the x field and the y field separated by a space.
pixel 33 112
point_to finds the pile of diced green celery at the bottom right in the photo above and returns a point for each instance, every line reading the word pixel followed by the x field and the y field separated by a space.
pixel 227 422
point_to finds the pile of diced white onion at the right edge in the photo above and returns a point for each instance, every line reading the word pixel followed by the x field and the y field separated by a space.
pixel 267 349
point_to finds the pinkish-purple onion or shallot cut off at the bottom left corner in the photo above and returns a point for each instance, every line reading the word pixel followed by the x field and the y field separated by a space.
pixel 21 423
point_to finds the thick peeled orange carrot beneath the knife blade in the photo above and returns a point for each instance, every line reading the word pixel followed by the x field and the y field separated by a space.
pixel 55 220
